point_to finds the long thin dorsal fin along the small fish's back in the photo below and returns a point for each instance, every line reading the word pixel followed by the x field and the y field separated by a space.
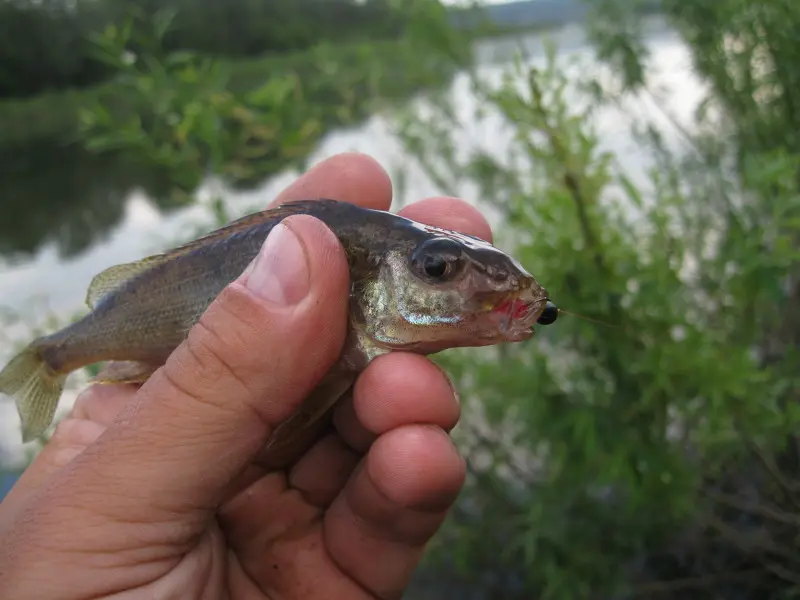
pixel 115 277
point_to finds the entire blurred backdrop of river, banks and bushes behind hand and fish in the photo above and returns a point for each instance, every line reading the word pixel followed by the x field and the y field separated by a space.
pixel 640 157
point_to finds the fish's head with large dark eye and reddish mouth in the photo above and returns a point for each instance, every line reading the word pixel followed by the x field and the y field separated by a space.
pixel 444 290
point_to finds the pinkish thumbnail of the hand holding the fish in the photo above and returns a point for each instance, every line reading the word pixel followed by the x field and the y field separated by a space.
pixel 279 273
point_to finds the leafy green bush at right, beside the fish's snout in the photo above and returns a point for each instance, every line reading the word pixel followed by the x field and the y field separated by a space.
pixel 654 455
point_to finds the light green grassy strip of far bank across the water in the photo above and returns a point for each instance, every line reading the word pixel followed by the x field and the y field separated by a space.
pixel 358 72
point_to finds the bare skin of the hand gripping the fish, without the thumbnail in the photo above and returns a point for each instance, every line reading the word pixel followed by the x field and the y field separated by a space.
pixel 349 520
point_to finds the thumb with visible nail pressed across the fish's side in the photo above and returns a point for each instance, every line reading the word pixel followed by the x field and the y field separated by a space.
pixel 258 350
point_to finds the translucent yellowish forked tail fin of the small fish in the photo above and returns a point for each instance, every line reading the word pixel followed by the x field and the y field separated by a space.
pixel 35 388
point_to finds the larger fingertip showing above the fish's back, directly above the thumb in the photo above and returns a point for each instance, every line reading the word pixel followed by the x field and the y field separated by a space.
pixel 351 177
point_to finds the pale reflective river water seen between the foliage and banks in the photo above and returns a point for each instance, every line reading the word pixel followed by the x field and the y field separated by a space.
pixel 45 280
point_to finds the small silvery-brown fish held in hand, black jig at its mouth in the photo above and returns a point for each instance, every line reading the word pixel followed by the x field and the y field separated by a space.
pixel 413 288
